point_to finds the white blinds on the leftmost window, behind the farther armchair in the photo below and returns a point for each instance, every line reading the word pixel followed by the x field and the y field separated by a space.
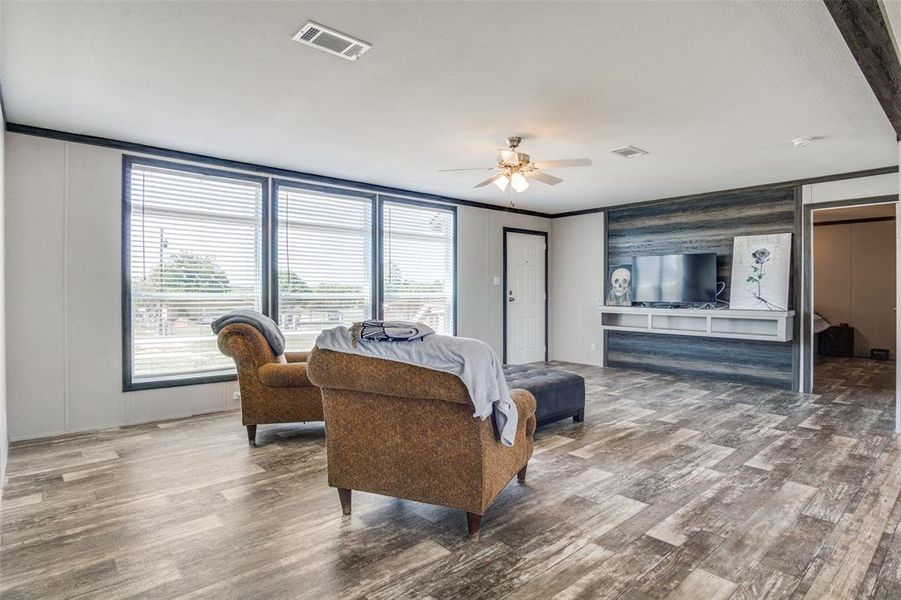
pixel 195 252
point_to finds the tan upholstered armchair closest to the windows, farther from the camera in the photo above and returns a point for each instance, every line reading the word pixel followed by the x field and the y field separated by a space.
pixel 273 389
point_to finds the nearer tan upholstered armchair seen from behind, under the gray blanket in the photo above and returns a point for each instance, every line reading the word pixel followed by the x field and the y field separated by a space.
pixel 408 432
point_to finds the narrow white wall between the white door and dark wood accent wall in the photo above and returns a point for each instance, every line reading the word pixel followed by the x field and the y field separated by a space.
pixel 577 283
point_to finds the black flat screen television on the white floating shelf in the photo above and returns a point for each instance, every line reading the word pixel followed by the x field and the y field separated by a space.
pixel 674 278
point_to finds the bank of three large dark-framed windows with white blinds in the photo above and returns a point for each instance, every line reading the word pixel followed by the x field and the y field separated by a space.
pixel 200 242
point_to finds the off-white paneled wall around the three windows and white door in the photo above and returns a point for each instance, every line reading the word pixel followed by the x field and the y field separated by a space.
pixel 64 284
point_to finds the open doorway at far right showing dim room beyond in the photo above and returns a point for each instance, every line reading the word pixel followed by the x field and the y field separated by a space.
pixel 854 345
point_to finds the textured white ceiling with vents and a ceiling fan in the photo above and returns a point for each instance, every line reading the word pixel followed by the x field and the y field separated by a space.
pixel 714 91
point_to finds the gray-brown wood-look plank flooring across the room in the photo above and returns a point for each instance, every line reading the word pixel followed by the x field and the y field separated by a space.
pixel 671 488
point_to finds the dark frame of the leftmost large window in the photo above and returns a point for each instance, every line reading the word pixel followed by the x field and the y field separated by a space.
pixel 128 380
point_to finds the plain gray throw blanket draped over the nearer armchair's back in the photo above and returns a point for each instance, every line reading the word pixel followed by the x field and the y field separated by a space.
pixel 473 361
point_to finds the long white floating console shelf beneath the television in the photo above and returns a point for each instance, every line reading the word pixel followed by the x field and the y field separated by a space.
pixel 768 325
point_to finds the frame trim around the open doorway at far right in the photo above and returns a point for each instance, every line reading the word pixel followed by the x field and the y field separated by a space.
pixel 807 364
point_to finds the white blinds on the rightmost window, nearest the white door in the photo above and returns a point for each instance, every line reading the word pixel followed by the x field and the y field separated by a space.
pixel 418 264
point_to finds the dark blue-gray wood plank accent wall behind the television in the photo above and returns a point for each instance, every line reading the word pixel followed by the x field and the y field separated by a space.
pixel 705 224
